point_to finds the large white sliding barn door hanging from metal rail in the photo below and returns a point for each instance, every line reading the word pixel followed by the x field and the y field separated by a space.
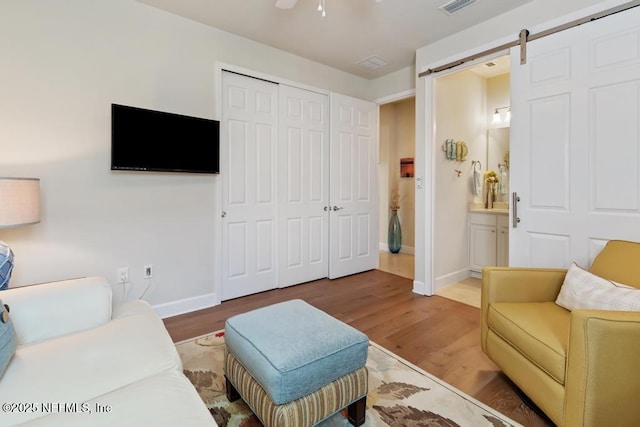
pixel 575 142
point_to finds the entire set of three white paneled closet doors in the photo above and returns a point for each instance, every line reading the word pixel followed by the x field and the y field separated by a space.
pixel 299 185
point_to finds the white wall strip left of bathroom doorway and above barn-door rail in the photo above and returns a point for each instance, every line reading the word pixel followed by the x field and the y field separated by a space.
pixel 536 16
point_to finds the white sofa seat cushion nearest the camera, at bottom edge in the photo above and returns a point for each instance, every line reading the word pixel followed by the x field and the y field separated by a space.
pixel 166 400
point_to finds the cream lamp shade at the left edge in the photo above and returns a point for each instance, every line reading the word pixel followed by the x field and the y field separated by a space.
pixel 19 201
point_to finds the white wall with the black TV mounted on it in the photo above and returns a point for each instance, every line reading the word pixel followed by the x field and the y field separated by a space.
pixel 63 63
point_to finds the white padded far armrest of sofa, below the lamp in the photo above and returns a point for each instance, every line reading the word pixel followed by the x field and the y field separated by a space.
pixel 54 309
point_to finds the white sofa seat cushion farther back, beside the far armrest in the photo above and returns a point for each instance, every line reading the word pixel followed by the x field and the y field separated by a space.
pixel 88 364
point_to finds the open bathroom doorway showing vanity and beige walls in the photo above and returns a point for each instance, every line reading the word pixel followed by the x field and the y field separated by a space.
pixel 471 109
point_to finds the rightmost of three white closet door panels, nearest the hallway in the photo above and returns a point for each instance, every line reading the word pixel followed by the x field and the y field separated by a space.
pixel 353 187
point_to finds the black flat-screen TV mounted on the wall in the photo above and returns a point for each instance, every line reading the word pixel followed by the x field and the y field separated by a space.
pixel 148 140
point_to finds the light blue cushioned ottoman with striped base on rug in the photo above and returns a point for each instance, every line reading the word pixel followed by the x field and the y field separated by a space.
pixel 280 356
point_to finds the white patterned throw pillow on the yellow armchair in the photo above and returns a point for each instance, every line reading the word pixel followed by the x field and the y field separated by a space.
pixel 582 289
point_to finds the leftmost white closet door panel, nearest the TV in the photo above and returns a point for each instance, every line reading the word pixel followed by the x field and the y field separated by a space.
pixel 249 183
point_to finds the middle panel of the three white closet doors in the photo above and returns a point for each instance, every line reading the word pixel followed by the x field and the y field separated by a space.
pixel 303 218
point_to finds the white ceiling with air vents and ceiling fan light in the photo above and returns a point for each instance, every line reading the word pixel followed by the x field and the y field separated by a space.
pixel 352 31
